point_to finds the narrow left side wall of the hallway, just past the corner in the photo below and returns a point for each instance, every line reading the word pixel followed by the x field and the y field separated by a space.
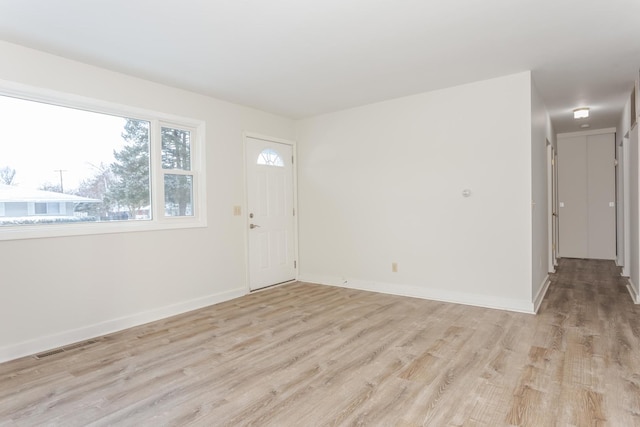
pixel 541 132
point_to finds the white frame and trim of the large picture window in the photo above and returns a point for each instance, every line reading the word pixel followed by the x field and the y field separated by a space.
pixel 156 119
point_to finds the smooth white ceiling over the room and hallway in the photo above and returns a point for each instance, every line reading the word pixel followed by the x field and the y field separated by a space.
pixel 300 58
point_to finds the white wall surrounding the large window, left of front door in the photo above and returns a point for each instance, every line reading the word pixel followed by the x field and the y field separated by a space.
pixel 59 290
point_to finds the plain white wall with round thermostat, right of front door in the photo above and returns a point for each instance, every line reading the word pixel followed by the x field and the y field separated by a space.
pixel 383 183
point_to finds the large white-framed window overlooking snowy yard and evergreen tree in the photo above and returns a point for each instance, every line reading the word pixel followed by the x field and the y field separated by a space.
pixel 71 166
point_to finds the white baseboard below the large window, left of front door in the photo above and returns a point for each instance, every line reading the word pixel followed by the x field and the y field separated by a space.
pixel 33 346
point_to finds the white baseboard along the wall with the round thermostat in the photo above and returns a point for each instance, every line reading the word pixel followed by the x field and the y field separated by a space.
pixel 425 293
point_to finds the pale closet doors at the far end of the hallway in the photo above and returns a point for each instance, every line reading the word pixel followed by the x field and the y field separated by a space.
pixel 586 190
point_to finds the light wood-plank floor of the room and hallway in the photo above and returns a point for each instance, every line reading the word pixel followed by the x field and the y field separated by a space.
pixel 311 355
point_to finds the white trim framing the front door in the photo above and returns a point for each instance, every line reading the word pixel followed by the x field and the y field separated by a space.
pixel 245 208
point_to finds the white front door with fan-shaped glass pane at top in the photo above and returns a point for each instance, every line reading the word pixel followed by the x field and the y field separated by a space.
pixel 270 212
